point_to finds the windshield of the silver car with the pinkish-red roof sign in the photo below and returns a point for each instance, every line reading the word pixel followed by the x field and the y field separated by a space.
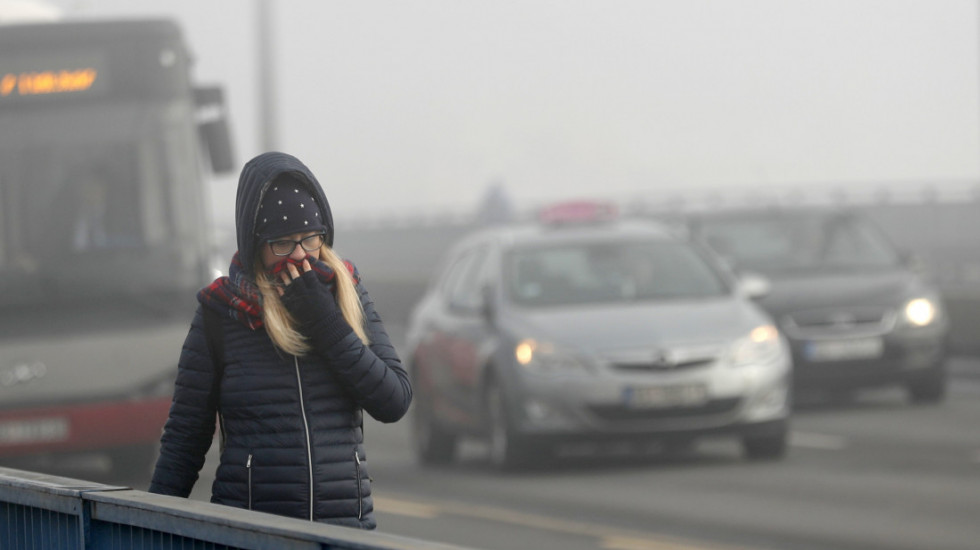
pixel 609 272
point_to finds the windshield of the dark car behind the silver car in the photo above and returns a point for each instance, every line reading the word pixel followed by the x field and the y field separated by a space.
pixel 802 242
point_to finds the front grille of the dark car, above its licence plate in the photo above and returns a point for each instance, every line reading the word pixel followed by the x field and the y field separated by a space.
pixel 836 322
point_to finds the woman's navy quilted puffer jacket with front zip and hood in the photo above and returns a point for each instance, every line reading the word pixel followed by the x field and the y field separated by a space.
pixel 293 425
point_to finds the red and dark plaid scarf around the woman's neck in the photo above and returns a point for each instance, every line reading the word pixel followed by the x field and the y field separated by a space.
pixel 238 296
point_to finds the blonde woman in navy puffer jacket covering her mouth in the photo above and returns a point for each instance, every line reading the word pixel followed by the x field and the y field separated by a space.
pixel 295 353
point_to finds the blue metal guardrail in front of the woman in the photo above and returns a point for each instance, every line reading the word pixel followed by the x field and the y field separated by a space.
pixel 42 512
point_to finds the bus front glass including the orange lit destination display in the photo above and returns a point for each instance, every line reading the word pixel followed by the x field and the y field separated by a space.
pixel 100 167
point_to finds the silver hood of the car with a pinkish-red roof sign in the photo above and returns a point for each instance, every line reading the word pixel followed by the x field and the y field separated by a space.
pixel 597 329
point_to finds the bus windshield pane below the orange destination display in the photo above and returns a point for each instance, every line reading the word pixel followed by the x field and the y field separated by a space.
pixel 96 209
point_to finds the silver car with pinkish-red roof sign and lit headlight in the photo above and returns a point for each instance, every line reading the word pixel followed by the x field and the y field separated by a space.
pixel 541 335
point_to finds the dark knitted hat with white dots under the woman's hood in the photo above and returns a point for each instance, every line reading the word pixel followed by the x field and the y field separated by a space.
pixel 287 207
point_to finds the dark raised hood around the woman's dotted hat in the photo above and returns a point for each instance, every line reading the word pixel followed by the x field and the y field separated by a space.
pixel 252 184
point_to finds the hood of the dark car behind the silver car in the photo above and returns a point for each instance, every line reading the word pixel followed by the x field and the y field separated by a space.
pixel 830 290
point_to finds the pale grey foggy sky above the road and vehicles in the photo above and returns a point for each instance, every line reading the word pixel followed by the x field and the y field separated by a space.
pixel 404 106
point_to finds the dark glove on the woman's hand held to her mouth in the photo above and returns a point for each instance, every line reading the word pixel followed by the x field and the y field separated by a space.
pixel 311 302
